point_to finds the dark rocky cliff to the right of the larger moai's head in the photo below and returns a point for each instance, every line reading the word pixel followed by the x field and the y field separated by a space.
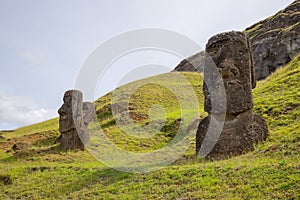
pixel 275 40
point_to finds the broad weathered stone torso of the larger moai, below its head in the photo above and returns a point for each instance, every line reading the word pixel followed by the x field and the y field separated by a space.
pixel 240 133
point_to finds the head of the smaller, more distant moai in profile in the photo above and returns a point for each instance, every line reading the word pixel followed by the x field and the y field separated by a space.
pixel 70 113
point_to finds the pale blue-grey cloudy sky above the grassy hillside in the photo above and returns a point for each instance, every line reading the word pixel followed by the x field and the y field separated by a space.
pixel 44 43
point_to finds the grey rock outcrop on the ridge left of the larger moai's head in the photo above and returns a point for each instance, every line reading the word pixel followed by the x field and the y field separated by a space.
pixel 194 63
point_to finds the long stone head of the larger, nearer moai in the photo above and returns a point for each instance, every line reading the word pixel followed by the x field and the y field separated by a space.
pixel 228 62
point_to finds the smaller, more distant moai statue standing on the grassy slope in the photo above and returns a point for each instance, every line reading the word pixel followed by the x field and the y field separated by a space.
pixel 74 117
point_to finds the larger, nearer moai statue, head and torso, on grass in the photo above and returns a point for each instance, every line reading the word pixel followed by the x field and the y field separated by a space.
pixel 228 82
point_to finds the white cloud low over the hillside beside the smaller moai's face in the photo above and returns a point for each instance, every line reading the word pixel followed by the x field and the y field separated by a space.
pixel 17 111
